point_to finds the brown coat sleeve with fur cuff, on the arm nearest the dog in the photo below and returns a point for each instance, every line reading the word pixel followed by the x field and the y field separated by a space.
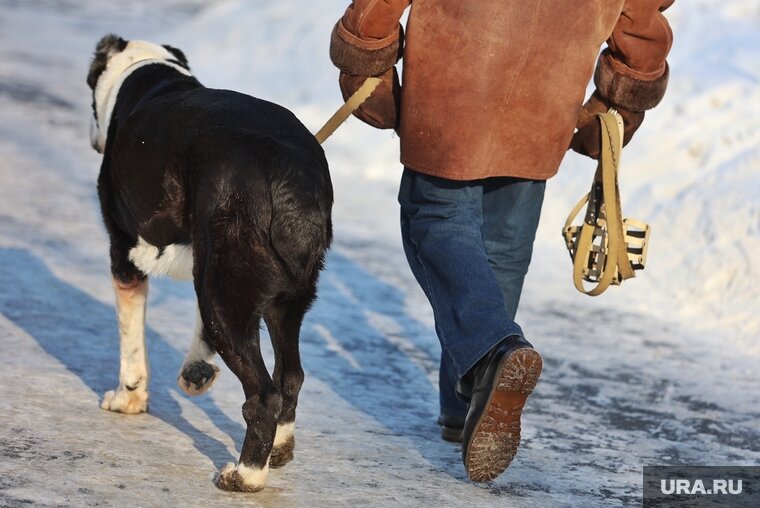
pixel 368 39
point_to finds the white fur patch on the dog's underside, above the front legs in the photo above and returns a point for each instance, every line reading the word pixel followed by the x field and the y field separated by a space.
pixel 175 260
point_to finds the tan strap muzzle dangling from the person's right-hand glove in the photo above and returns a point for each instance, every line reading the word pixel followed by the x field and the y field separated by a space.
pixel 605 249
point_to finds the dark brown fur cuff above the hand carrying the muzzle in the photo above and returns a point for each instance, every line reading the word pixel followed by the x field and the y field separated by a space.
pixel 626 91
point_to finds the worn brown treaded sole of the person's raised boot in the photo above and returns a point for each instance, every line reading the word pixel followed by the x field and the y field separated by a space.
pixel 496 436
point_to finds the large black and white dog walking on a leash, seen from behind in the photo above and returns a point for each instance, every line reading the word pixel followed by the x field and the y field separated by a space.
pixel 225 189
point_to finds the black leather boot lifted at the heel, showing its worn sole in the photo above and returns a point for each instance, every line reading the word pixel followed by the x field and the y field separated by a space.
pixel 499 384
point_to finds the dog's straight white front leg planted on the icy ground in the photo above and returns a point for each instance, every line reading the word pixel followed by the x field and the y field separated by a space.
pixel 131 396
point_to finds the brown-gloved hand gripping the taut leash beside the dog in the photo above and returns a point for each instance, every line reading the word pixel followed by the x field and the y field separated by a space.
pixel 381 109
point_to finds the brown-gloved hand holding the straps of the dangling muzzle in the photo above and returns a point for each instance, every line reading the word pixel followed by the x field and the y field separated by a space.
pixel 587 140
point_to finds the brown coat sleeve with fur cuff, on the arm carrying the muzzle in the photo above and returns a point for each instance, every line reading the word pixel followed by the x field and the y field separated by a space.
pixel 633 72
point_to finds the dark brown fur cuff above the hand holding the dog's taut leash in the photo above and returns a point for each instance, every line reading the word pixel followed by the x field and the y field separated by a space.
pixel 356 60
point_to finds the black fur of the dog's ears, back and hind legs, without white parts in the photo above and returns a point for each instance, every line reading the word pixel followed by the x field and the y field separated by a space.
pixel 245 184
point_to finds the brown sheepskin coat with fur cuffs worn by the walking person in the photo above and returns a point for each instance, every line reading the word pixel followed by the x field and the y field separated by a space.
pixel 495 87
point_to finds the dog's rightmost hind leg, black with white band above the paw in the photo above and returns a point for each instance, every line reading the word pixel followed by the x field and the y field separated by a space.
pixel 284 324
